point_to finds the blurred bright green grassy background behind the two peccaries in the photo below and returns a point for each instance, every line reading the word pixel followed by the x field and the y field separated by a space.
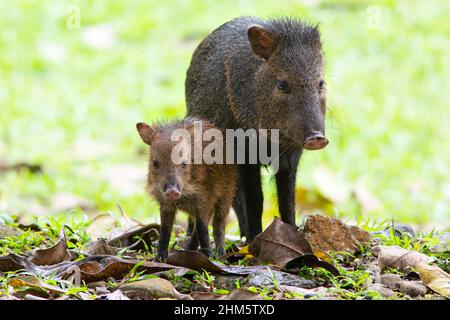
pixel 75 77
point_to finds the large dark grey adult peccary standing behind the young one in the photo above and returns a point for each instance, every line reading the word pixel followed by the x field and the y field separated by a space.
pixel 254 73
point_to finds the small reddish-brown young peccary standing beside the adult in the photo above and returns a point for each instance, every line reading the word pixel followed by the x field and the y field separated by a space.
pixel 203 191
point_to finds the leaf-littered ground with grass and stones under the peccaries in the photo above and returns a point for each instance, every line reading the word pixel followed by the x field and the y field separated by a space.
pixel 112 257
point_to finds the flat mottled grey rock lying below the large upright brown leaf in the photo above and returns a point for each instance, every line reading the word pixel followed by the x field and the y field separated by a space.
pixel 268 278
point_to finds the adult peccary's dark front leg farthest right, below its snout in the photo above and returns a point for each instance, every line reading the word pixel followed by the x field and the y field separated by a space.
pixel 285 178
